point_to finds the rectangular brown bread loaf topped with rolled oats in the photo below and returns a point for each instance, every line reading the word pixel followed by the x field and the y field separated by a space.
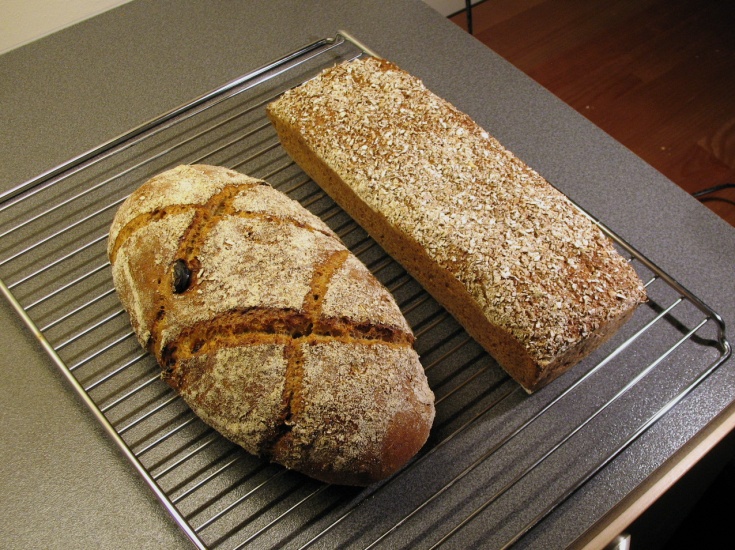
pixel 527 274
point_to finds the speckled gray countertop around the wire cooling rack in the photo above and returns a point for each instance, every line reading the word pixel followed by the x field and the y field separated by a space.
pixel 64 483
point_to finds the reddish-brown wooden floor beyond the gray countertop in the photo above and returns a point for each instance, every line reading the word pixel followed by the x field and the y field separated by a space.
pixel 657 75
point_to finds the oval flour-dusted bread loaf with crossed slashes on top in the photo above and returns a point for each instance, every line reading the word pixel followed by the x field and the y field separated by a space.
pixel 268 327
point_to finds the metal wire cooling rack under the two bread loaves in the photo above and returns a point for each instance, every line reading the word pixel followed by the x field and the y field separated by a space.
pixel 498 462
